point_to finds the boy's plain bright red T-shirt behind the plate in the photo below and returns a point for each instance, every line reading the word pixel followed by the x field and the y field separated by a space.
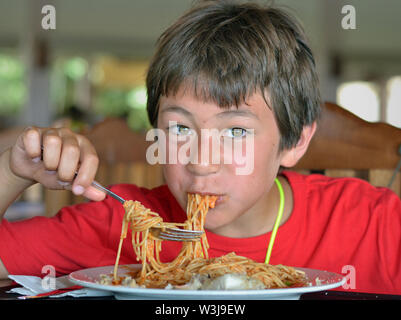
pixel 340 225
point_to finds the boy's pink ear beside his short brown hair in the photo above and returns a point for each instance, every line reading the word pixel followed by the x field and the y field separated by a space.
pixel 290 157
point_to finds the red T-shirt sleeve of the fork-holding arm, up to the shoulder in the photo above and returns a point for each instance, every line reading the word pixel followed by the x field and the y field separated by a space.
pixel 80 236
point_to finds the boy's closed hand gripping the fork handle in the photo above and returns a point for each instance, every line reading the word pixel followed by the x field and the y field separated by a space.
pixel 53 156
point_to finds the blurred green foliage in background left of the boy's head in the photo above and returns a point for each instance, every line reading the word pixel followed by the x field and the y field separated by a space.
pixel 129 103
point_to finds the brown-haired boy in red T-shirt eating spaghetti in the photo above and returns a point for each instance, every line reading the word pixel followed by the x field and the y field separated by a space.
pixel 248 72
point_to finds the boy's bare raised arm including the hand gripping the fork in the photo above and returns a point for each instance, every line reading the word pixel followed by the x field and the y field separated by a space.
pixel 51 157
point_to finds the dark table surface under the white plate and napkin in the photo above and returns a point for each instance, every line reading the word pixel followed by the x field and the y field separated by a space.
pixel 323 295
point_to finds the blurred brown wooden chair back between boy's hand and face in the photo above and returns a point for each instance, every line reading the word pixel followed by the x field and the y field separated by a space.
pixel 122 155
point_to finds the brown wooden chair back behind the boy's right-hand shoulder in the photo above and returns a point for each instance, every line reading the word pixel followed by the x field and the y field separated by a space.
pixel 347 146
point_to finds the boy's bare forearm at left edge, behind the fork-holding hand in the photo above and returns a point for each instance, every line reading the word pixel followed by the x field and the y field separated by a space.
pixel 11 185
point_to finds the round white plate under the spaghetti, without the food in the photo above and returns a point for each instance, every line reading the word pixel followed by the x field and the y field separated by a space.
pixel 319 281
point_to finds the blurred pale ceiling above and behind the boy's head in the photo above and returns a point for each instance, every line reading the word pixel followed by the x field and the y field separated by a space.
pixel 132 26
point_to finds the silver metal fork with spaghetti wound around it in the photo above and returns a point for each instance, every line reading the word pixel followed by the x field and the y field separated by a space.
pixel 173 234
